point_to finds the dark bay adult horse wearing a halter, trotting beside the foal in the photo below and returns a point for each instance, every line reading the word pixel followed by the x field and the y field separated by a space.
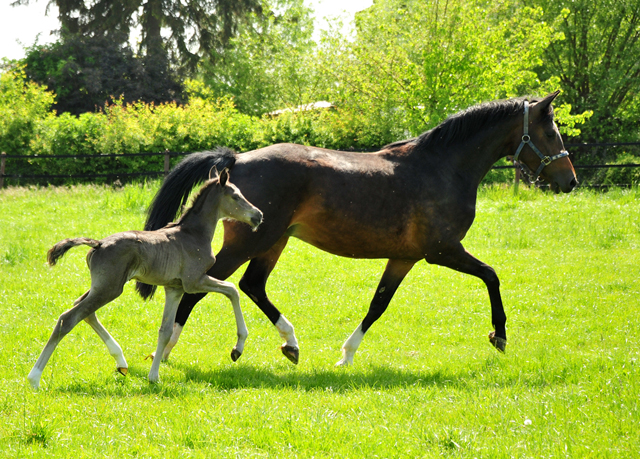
pixel 412 200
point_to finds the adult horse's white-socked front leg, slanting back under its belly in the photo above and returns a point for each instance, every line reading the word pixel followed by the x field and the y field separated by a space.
pixel 394 273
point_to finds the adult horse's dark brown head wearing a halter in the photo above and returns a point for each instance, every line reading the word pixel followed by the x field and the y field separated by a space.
pixel 541 149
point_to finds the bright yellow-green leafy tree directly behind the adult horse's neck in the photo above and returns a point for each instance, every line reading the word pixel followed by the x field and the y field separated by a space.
pixel 411 65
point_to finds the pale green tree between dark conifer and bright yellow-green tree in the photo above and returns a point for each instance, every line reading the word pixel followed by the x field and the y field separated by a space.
pixel 268 64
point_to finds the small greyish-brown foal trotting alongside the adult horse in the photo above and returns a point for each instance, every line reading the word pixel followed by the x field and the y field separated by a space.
pixel 176 257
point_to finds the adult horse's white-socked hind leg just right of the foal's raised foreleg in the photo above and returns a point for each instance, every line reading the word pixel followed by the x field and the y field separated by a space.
pixel 253 283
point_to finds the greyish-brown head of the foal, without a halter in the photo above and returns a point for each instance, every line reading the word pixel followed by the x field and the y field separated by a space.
pixel 233 205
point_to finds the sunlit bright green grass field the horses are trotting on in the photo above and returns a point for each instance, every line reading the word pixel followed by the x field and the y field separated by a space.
pixel 426 382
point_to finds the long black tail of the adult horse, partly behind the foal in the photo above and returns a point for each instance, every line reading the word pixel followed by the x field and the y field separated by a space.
pixel 174 192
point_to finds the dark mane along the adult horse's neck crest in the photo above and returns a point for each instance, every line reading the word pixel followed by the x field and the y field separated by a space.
pixel 465 124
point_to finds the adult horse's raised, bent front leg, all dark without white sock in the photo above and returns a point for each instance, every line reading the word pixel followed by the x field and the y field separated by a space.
pixel 456 257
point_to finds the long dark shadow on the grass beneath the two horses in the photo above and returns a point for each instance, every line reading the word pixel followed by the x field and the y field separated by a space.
pixel 490 373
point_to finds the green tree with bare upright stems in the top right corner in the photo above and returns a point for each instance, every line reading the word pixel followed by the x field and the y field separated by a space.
pixel 598 63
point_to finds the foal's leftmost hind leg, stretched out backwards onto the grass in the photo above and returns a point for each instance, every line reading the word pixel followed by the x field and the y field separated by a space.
pixel 87 304
